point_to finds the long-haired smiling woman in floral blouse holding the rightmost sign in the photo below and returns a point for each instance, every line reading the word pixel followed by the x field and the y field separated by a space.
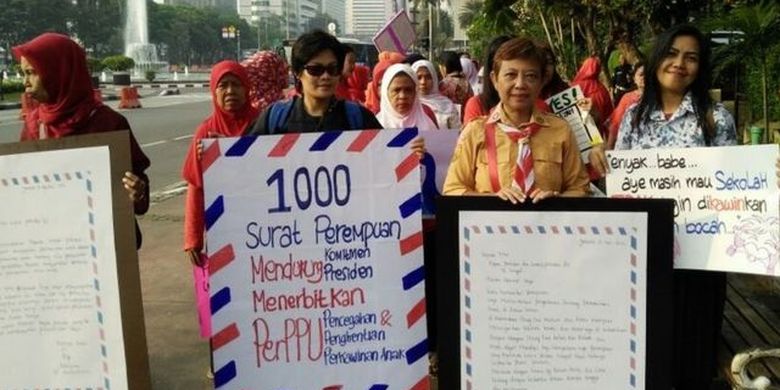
pixel 675 111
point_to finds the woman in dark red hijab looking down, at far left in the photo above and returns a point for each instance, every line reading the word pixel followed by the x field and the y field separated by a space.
pixel 56 75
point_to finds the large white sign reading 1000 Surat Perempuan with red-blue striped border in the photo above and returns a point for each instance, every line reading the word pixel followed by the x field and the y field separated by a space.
pixel 315 251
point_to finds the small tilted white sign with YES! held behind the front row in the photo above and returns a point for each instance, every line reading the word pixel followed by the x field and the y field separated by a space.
pixel 565 105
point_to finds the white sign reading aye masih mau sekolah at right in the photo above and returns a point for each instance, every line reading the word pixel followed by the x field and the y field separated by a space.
pixel 726 214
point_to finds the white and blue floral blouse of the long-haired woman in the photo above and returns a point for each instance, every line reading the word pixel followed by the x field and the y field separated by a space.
pixel 681 130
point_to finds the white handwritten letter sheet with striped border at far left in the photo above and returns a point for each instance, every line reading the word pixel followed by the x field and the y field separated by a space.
pixel 60 322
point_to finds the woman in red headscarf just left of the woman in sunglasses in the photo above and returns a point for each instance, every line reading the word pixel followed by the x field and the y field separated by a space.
pixel 233 112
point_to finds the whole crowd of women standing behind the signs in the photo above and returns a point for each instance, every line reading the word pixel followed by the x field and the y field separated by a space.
pixel 510 145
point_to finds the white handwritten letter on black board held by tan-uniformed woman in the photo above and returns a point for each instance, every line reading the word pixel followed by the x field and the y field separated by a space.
pixel 552 300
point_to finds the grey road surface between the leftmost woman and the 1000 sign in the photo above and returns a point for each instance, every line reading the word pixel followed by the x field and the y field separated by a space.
pixel 178 357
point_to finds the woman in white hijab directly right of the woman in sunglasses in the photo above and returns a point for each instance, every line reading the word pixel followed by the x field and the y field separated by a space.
pixel 400 107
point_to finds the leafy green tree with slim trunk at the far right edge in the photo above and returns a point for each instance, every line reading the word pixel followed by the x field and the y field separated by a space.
pixel 756 29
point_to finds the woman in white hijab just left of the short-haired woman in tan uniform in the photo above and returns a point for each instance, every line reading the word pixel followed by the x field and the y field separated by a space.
pixel 446 112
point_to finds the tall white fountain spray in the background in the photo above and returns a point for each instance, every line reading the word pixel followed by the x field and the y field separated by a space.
pixel 137 44
